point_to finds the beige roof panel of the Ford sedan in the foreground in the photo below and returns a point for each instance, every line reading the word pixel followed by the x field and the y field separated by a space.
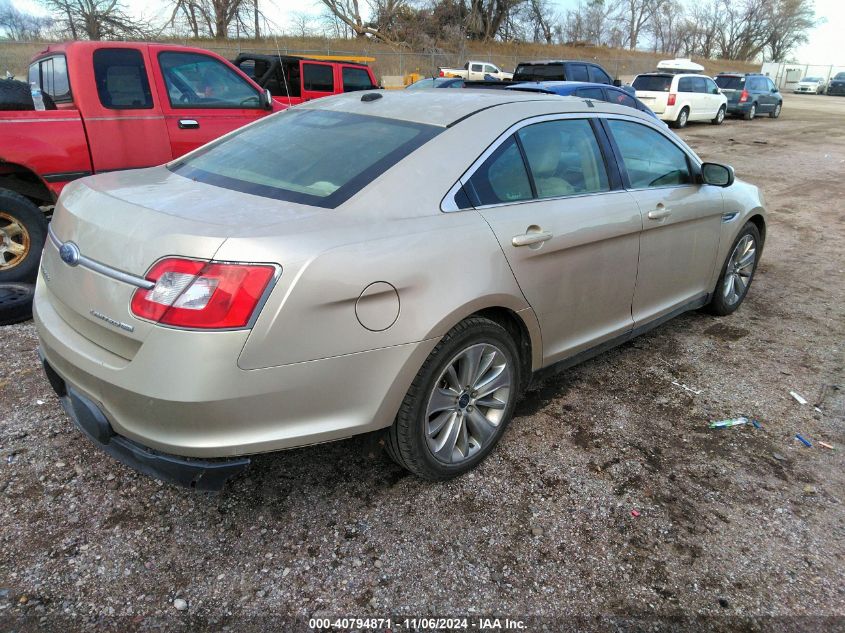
pixel 444 108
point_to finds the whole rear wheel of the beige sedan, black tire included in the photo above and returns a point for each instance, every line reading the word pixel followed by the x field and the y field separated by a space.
pixel 460 402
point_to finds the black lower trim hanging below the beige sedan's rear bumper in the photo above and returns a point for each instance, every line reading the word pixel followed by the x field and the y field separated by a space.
pixel 90 419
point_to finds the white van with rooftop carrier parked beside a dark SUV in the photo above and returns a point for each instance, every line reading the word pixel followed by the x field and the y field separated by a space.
pixel 679 98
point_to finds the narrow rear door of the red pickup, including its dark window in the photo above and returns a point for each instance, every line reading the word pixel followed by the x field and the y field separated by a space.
pixel 124 123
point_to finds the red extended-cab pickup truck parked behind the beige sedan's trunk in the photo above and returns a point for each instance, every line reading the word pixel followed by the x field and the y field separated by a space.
pixel 119 105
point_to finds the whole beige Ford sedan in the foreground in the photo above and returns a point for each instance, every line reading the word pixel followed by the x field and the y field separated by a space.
pixel 397 261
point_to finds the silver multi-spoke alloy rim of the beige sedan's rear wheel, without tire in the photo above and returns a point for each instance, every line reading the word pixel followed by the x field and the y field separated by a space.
pixel 468 403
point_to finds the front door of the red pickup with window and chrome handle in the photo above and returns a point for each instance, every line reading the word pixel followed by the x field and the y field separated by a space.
pixel 202 97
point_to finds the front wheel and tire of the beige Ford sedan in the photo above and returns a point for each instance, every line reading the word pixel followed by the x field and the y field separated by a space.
pixel 737 272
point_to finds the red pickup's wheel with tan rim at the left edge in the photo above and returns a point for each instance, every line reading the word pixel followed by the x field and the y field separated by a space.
pixel 23 231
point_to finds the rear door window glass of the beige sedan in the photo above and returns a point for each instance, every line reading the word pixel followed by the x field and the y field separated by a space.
pixel 564 158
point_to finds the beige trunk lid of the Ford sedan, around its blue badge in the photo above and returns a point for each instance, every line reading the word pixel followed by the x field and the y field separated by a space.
pixel 126 221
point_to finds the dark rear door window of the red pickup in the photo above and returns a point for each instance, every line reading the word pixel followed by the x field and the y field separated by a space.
pixel 121 77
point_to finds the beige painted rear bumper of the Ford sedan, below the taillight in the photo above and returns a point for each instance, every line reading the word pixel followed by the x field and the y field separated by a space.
pixel 192 400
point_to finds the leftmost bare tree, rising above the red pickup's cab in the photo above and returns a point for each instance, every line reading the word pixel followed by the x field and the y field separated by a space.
pixel 94 19
